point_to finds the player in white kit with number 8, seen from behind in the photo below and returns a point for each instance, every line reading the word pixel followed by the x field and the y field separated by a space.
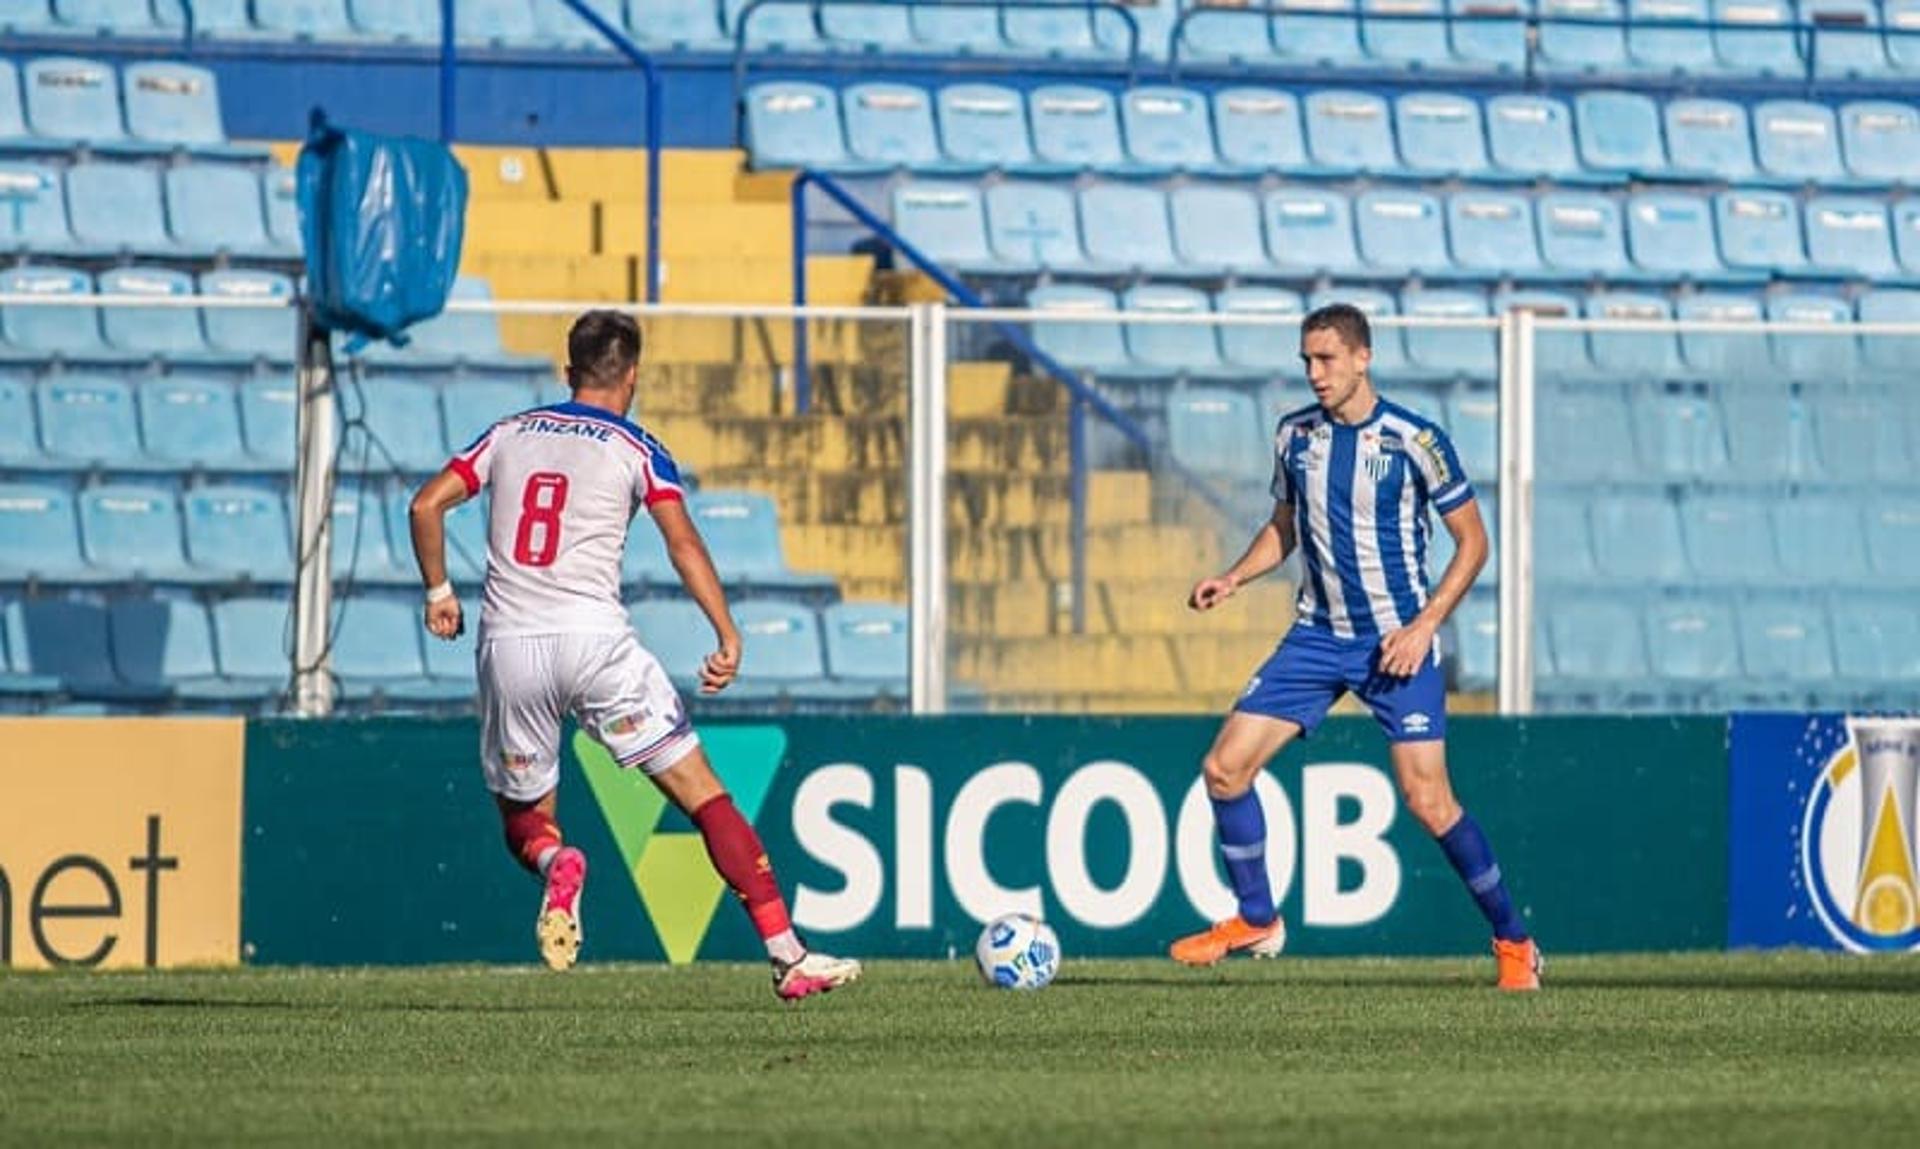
pixel 556 641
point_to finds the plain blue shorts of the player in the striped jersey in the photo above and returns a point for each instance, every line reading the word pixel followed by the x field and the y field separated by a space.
pixel 1314 668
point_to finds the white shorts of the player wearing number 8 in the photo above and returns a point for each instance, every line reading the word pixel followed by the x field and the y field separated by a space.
pixel 610 683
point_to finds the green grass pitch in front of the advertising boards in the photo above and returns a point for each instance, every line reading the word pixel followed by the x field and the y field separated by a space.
pixel 1702 1050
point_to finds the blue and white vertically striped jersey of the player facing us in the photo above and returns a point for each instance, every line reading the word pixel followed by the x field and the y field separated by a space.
pixel 1360 499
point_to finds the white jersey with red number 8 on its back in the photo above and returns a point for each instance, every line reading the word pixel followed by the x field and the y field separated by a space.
pixel 567 481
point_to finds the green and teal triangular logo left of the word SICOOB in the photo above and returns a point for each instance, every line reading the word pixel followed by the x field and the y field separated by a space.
pixel 673 877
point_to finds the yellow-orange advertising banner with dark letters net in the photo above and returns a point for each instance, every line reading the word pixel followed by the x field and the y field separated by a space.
pixel 120 843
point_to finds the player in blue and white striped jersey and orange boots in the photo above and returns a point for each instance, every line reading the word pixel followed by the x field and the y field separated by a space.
pixel 1355 477
